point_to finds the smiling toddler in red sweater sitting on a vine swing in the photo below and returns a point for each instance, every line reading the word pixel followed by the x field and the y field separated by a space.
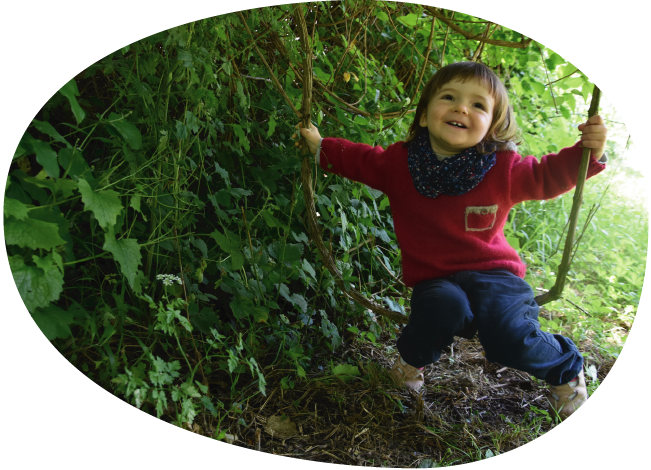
pixel 451 185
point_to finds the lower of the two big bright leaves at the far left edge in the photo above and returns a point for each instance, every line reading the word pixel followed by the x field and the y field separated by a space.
pixel 37 285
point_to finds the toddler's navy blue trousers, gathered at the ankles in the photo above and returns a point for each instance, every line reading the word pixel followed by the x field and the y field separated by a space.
pixel 500 307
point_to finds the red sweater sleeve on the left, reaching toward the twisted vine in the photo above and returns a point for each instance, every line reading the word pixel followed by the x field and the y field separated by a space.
pixel 357 162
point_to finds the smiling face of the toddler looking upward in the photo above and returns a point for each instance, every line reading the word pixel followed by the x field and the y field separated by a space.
pixel 458 116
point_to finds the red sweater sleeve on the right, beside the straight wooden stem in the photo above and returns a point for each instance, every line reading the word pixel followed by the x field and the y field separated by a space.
pixel 552 176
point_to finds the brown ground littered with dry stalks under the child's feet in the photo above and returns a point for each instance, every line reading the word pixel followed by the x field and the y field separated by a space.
pixel 468 410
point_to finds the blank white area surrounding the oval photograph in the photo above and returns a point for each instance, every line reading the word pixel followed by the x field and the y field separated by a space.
pixel 53 415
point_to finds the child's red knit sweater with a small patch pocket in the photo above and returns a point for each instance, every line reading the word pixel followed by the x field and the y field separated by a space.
pixel 447 234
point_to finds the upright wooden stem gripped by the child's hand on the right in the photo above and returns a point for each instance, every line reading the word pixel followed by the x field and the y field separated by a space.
pixel 556 291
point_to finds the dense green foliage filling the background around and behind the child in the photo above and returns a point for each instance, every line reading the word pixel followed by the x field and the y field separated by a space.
pixel 154 220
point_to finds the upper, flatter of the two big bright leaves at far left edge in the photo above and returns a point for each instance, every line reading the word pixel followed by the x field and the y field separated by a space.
pixel 32 233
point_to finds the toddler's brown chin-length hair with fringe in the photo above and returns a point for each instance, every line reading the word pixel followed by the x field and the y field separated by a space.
pixel 503 132
